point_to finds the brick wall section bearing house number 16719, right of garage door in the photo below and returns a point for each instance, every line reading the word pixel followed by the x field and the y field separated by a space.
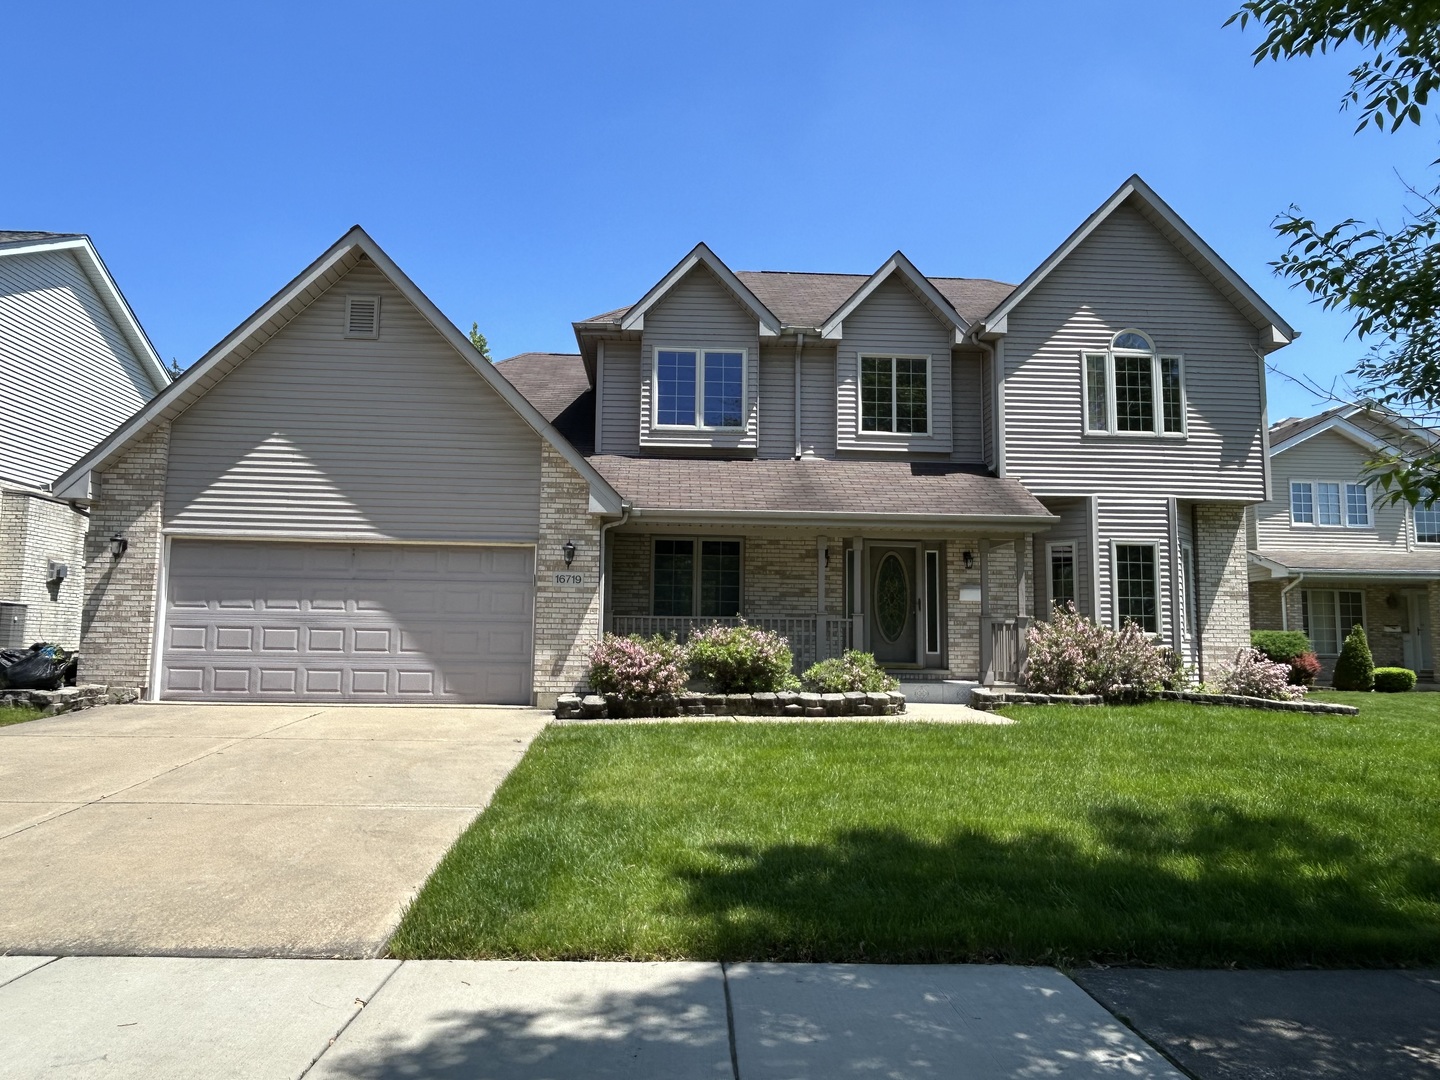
pixel 568 620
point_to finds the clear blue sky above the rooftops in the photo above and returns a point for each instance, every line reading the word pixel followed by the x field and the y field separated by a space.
pixel 531 165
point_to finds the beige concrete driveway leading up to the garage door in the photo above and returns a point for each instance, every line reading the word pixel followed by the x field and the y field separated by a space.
pixel 237 830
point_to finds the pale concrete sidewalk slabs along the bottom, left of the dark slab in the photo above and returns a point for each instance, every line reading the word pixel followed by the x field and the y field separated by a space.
pixel 374 1020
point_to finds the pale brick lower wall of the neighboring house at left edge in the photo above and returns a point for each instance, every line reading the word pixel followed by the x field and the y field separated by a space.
pixel 35 531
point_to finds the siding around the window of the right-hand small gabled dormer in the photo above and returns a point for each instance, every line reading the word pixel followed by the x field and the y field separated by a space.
pixel 894 322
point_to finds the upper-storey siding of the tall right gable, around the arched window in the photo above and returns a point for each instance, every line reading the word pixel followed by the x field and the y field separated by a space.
pixel 1128 276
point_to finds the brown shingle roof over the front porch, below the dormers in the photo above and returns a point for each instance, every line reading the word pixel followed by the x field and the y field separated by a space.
pixel 817 487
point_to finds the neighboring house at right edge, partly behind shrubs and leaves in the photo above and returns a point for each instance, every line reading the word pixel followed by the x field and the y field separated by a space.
pixel 1327 554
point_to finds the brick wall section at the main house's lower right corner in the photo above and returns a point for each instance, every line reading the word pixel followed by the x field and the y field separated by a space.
pixel 1223 591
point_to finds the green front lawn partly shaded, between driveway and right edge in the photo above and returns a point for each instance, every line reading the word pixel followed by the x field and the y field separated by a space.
pixel 1154 834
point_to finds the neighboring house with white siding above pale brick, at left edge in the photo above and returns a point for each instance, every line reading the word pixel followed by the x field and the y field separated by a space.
pixel 74 365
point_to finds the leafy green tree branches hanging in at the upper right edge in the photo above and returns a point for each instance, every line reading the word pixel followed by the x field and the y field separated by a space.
pixel 1387 279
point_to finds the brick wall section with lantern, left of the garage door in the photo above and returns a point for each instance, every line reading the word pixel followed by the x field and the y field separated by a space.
pixel 119 621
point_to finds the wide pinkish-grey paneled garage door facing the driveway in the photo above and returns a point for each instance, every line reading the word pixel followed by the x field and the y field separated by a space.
pixel 251 621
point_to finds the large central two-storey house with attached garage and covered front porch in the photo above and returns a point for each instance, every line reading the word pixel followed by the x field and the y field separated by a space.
pixel 343 502
